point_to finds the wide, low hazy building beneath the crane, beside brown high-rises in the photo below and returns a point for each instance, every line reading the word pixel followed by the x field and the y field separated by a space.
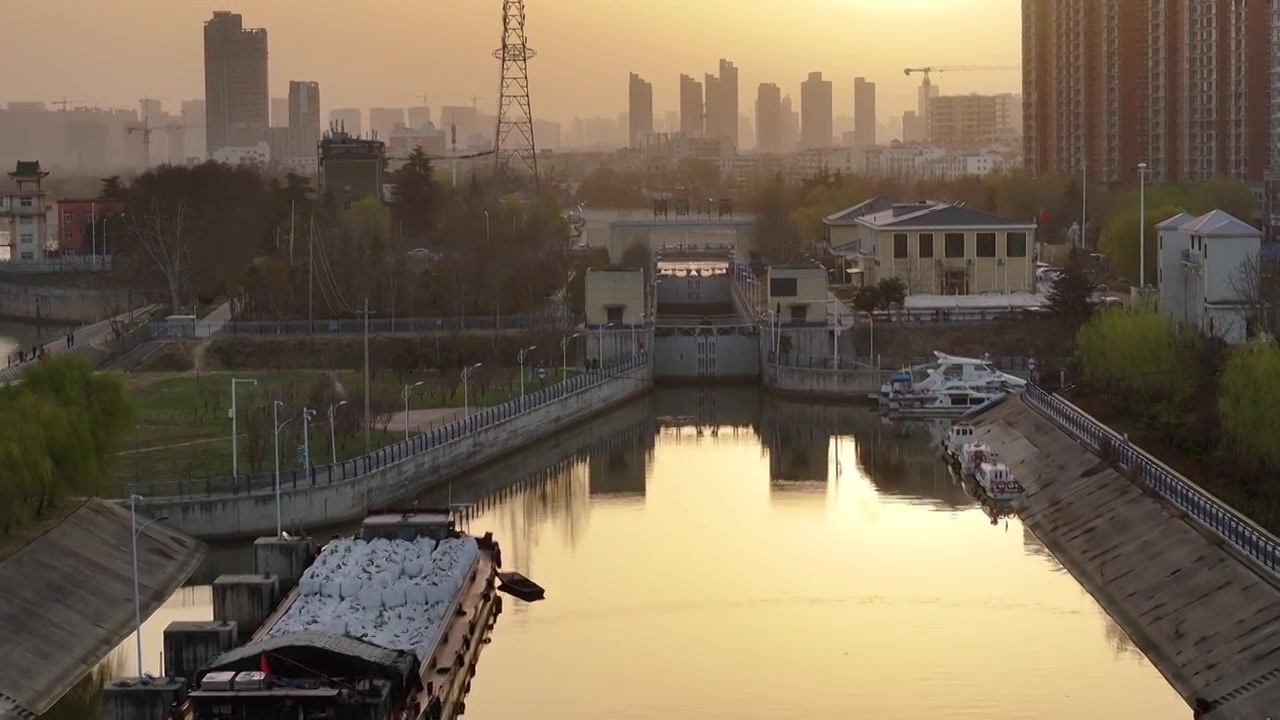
pixel 968 122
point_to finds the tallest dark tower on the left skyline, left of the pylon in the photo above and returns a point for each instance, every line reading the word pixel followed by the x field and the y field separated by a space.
pixel 237 110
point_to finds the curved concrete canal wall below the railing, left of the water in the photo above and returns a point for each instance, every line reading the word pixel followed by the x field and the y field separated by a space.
pixel 254 516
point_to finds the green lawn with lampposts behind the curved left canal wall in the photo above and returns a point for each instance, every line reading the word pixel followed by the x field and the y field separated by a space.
pixel 182 425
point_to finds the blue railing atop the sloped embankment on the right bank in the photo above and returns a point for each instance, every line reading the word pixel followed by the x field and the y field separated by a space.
pixel 1240 531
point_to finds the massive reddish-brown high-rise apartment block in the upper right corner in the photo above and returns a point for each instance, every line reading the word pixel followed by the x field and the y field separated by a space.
pixel 1181 85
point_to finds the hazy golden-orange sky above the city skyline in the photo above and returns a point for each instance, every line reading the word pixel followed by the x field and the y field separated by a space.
pixel 387 53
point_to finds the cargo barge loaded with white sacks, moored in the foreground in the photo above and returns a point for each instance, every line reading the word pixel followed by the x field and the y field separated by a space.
pixel 386 626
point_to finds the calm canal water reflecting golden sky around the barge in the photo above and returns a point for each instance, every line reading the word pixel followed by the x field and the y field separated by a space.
pixel 728 555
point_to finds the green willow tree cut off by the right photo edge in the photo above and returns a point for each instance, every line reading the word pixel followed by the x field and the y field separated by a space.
pixel 1250 414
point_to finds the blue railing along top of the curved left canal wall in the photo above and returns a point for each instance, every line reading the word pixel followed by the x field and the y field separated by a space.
pixel 390 455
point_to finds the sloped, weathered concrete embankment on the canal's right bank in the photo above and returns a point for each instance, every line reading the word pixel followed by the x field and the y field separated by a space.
pixel 1205 619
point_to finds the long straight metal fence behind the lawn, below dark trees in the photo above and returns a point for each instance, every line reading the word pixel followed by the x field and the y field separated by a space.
pixel 381 326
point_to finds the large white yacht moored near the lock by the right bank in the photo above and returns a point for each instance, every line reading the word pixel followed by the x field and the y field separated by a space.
pixel 949 388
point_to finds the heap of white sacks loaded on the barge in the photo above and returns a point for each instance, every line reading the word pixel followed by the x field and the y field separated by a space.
pixel 390 594
